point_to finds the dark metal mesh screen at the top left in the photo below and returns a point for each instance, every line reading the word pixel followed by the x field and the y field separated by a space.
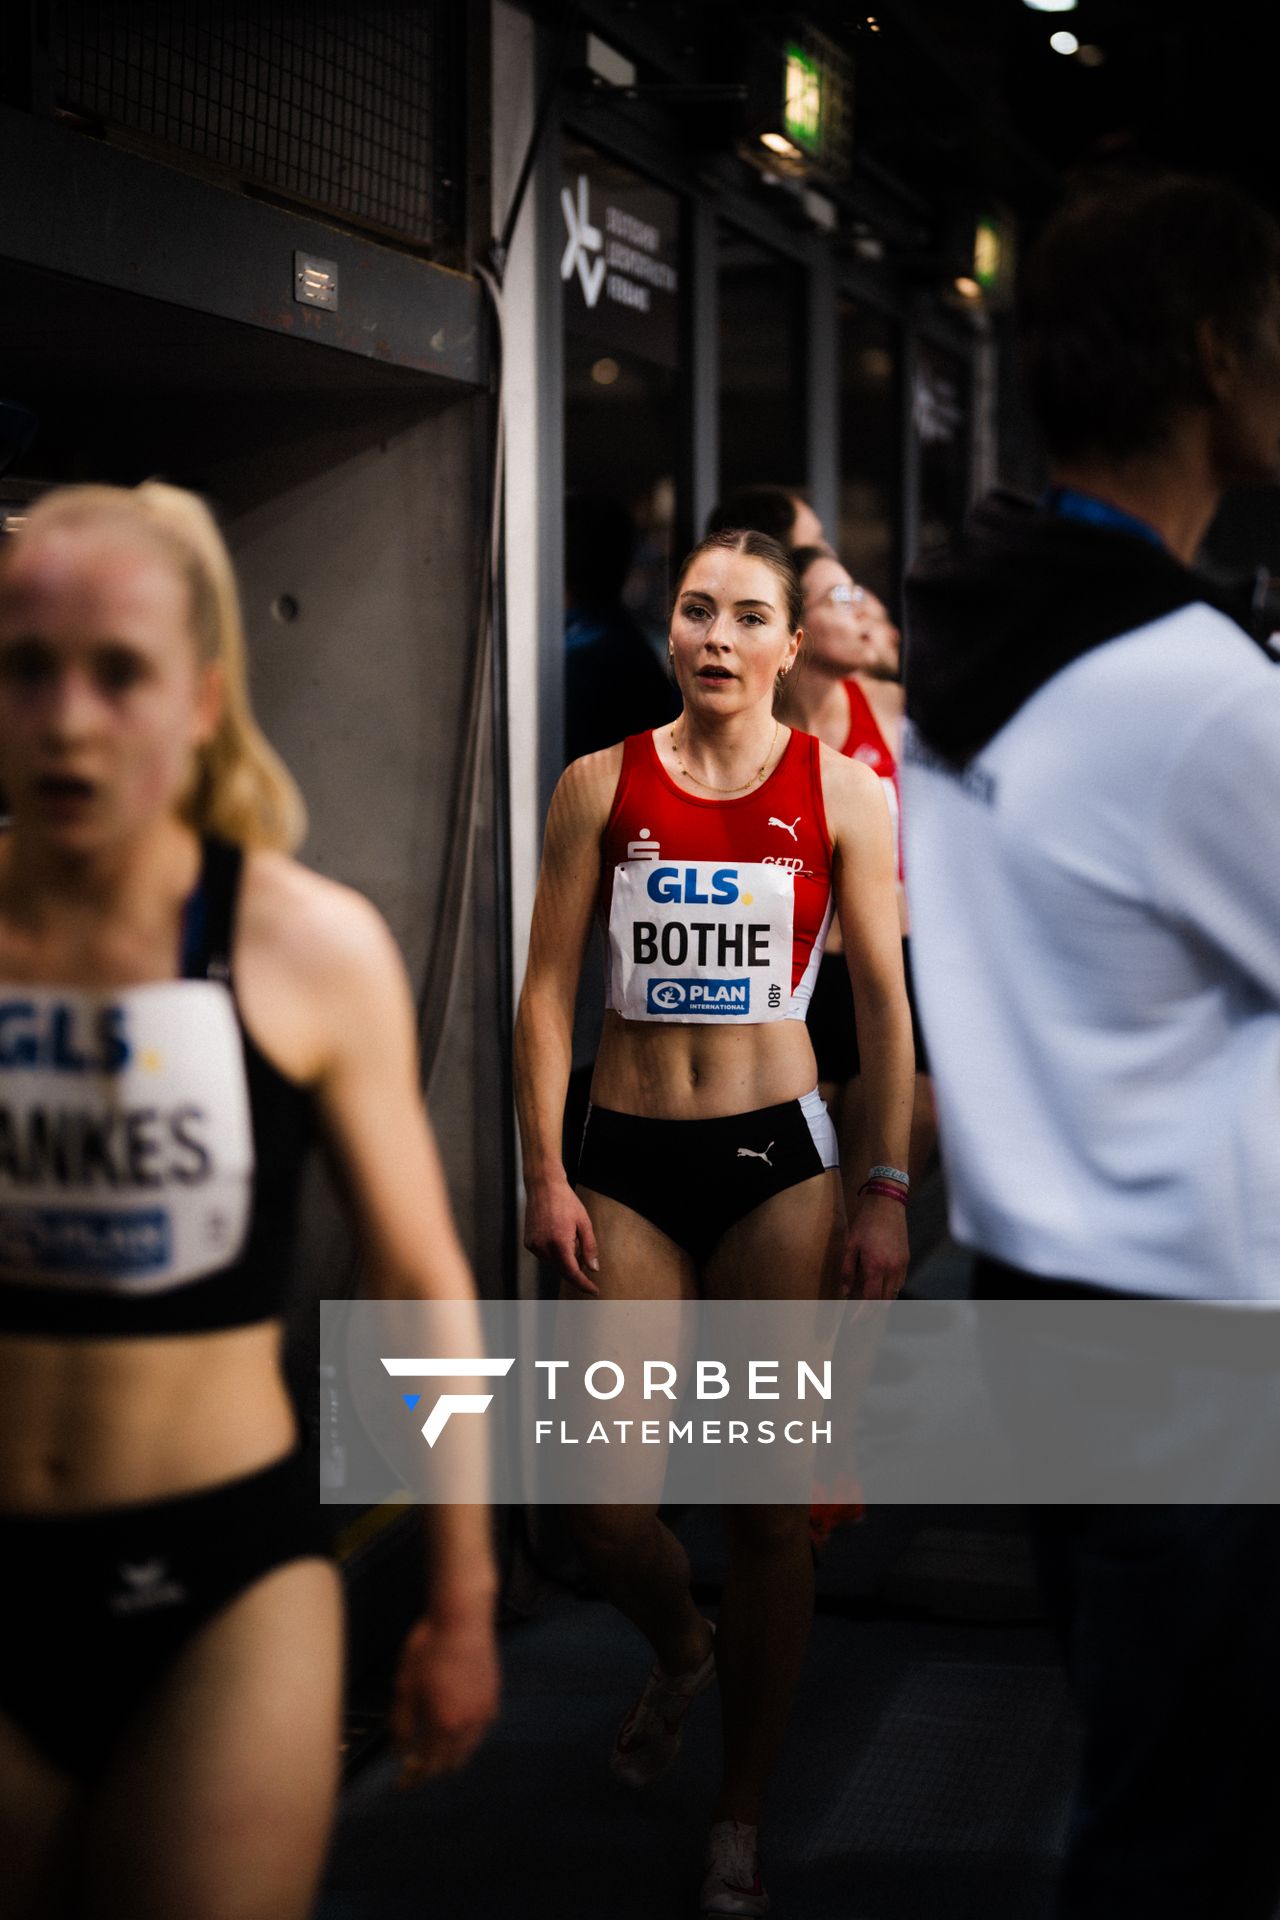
pixel 327 107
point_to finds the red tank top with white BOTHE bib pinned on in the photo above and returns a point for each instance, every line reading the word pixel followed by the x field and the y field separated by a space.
pixel 717 911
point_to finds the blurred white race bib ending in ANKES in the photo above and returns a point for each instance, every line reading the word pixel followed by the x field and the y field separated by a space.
pixel 126 1138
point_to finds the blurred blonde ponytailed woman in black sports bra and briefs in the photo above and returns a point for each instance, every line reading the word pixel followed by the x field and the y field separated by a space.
pixel 178 1003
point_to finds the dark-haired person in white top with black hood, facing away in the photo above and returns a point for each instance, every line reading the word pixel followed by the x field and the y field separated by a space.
pixel 1093 853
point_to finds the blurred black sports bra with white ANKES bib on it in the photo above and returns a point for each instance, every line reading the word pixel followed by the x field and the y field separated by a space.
pixel 151 1155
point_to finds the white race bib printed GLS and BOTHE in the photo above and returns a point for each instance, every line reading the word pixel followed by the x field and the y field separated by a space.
pixel 701 942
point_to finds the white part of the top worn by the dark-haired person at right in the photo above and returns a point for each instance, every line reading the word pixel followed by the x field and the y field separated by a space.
pixel 1097 948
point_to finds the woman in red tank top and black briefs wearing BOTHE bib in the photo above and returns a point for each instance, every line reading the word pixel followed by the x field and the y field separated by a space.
pixel 709 1161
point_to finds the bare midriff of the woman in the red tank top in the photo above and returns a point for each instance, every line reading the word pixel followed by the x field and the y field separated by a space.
pixel 686 1072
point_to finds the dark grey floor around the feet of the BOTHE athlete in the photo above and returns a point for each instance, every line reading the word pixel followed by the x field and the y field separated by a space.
pixel 926 1773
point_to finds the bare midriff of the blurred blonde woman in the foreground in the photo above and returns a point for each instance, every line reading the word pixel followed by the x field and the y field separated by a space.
pixel 105 1424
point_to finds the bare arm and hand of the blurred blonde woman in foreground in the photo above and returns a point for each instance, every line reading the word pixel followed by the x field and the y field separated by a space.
pixel 360 1051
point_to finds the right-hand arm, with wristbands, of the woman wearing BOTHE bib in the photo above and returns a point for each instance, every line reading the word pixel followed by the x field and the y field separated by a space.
pixel 868 911
